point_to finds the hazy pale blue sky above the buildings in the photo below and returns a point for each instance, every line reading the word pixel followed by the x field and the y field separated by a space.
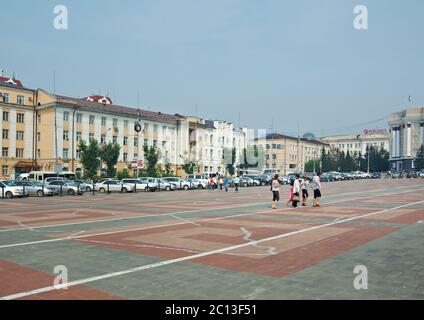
pixel 294 66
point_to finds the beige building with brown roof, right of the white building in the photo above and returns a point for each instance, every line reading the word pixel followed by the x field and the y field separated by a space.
pixel 287 154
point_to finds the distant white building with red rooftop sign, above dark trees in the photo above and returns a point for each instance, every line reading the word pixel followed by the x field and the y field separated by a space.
pixel 359 143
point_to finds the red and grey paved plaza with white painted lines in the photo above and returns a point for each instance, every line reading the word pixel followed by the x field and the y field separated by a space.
pixel 217 245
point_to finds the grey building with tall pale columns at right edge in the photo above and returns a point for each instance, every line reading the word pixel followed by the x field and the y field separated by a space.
pixel 406 137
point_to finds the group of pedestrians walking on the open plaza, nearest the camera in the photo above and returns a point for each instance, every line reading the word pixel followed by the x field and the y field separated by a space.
pixel 299 190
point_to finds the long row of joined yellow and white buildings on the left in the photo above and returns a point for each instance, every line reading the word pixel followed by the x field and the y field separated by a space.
pixel 40 130
